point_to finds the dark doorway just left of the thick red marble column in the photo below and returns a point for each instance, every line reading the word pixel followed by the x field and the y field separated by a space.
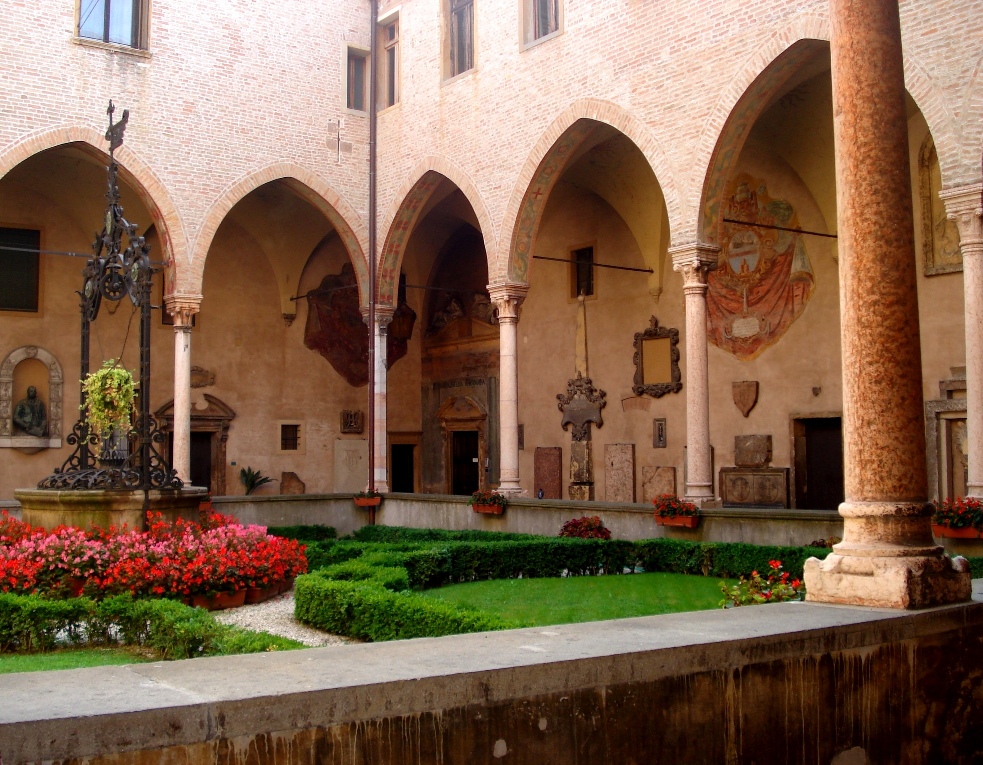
pixel 818 463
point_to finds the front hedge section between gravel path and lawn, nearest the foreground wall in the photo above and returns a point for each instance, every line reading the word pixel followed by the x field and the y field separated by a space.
pixel 368 611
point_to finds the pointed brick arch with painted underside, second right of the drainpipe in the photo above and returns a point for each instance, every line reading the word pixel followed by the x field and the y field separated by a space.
pixel 544 165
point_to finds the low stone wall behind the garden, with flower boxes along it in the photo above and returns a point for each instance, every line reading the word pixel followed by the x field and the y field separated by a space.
pixel 529 516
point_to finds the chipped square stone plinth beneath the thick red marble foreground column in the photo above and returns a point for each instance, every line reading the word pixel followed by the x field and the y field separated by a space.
pixel 888 582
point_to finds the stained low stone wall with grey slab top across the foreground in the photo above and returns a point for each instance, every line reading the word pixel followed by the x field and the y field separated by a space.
pixel 785 683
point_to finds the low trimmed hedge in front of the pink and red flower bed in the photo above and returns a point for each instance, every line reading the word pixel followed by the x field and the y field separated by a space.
pixel 175 631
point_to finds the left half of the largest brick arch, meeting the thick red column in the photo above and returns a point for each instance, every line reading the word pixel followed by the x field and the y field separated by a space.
pixel 732 116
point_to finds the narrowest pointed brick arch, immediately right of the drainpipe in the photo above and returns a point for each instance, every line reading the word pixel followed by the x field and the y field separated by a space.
pixel 404 213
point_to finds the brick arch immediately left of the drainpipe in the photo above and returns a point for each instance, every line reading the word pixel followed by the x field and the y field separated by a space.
pixel 343 217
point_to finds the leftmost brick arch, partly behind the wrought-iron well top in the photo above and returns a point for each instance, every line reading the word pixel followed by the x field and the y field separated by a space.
pixel 132 169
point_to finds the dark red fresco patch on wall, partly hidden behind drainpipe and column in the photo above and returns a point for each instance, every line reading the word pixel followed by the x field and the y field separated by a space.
pixel 336 330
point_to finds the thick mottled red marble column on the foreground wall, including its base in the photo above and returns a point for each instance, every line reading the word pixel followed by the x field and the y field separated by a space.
pixel 888 557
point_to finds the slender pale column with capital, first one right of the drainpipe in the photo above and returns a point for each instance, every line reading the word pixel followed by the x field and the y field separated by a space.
pixel 508 298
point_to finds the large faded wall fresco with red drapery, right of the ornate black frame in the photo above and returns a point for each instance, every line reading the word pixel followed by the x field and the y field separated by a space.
pixel 763 278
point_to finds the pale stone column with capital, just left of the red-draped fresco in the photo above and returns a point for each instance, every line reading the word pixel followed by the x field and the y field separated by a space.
pixel 695 261
